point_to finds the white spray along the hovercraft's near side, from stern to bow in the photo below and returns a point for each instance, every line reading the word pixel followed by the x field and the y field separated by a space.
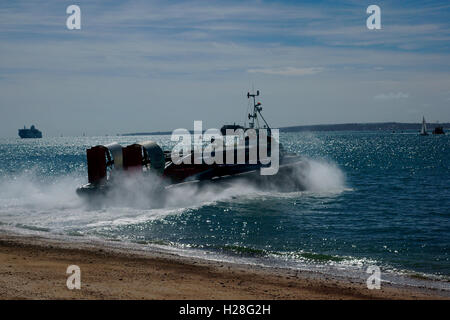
pixel 148 190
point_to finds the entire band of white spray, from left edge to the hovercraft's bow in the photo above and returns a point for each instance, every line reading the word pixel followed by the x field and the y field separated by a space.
pixel 32 200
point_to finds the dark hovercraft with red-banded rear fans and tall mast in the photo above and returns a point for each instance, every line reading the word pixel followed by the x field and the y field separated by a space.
pixel 250 152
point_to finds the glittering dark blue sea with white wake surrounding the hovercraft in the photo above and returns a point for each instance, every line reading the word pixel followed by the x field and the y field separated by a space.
pixel 372 198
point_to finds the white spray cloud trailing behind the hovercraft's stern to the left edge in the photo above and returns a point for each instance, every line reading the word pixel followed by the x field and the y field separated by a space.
pixel 32 202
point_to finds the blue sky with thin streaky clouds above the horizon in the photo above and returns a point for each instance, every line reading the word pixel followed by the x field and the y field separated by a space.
pixel 141 66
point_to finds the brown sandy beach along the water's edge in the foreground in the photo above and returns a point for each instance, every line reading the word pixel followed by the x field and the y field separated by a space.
pixel 33 267
